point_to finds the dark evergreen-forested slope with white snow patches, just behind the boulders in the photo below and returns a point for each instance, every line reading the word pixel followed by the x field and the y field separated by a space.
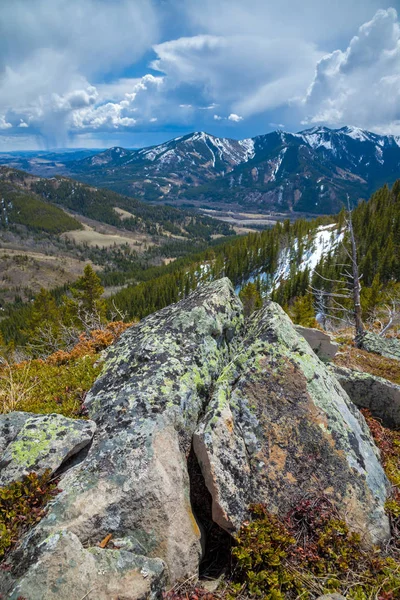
pixel 277 261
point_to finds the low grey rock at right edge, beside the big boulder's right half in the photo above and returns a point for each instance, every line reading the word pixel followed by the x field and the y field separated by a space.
pixel 379 395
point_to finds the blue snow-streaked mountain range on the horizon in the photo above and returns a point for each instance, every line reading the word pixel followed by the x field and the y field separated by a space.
pixel 310 171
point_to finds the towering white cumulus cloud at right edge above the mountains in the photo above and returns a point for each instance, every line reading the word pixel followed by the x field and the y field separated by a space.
pixel 361 85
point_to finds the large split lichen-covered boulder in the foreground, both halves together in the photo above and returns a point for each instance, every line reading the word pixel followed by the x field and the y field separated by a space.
pixel 266 419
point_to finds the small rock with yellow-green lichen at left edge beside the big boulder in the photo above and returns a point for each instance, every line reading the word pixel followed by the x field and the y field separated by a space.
pixel 40 442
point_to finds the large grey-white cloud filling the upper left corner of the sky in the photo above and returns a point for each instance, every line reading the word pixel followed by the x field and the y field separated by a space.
pixel 52 50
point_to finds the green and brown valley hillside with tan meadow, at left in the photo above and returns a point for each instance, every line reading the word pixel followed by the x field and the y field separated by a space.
pixel 51 228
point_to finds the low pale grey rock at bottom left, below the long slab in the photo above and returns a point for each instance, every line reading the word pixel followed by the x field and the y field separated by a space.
pixel 64 570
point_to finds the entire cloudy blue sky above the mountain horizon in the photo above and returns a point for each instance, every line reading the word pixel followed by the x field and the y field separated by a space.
pixel 100 73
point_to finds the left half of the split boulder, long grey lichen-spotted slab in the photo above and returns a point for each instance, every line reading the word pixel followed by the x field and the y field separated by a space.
pixel 134 481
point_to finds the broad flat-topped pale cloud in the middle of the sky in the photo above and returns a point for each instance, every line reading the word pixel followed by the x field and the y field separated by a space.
pixel 245 74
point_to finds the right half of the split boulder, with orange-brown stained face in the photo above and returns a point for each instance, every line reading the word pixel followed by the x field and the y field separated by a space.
pixel 279 427
